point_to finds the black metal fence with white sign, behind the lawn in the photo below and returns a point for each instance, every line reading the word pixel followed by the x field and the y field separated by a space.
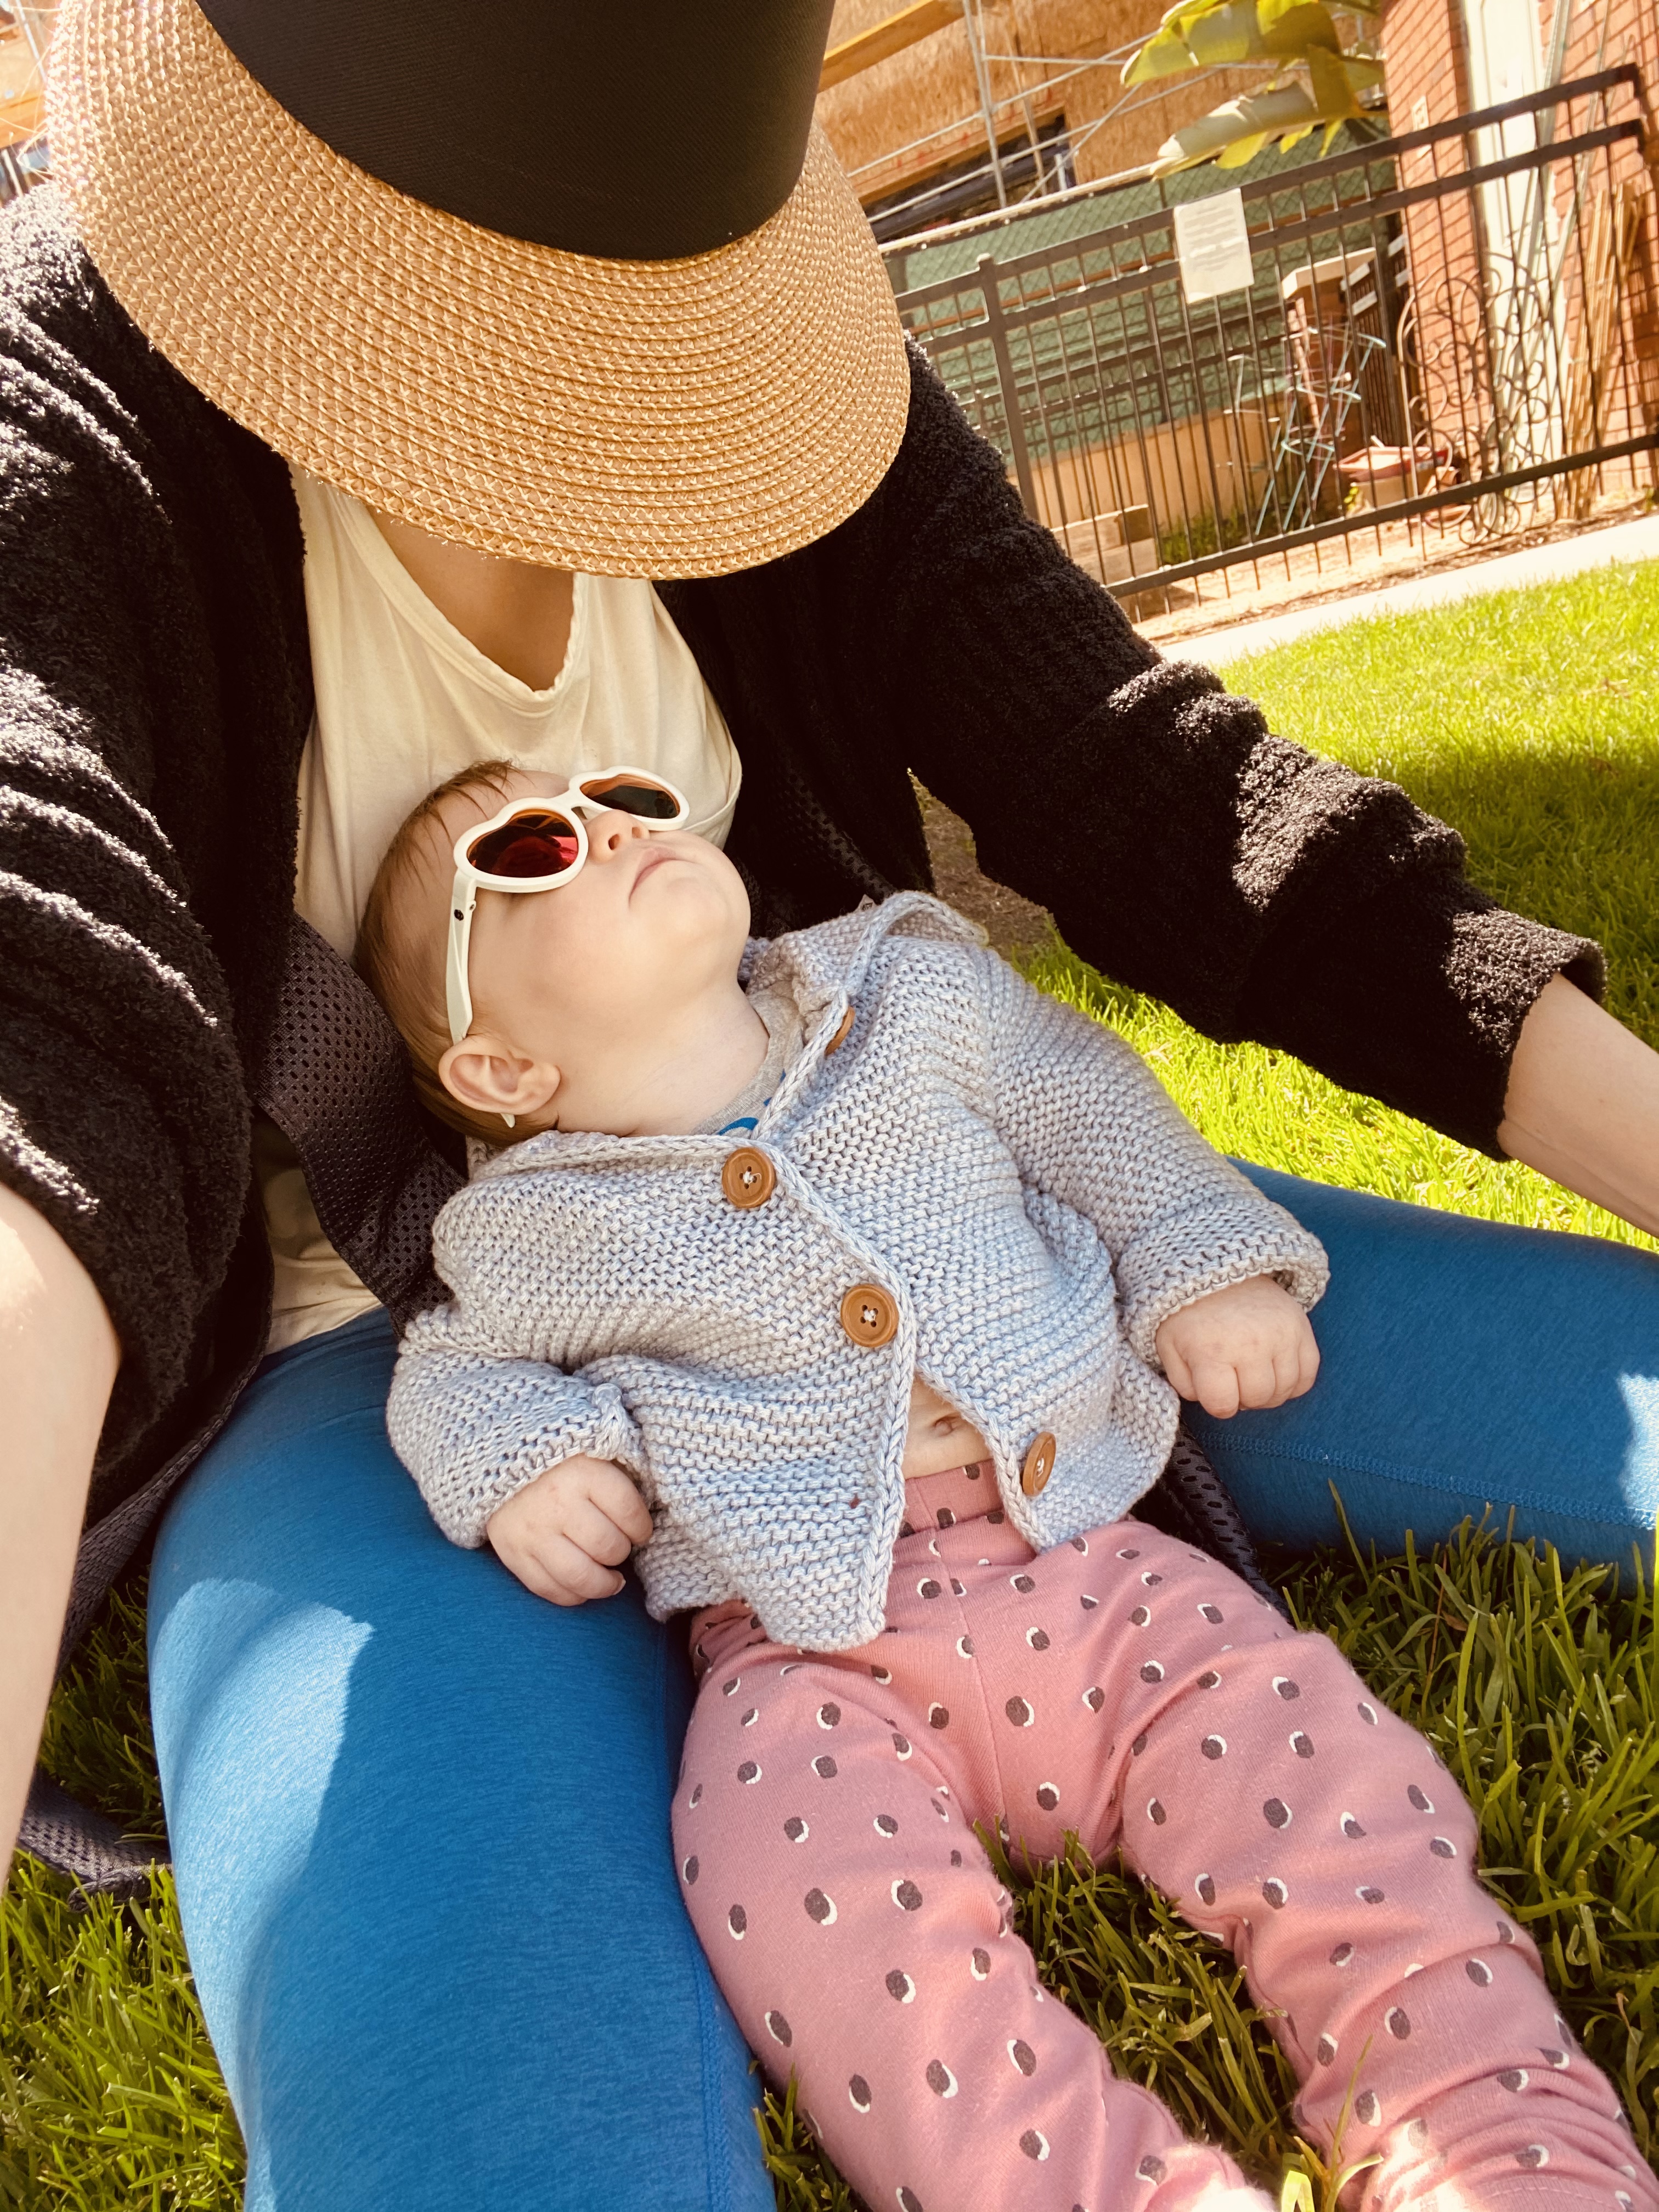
pixel 1450 328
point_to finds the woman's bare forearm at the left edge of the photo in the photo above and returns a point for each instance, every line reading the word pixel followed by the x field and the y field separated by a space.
pixel 59 1357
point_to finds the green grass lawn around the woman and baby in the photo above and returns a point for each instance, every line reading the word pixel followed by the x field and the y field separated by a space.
pixel 1532 722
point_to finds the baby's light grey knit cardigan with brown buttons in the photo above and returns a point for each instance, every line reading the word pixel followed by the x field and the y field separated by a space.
pixel 1001 1167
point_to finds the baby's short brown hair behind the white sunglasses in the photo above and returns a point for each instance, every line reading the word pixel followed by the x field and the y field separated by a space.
pixel 401 950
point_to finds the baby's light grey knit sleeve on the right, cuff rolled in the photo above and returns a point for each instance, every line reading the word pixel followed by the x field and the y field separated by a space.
pixel 1092 1127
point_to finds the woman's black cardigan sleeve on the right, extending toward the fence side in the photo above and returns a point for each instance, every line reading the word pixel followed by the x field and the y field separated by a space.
pixel 1182 848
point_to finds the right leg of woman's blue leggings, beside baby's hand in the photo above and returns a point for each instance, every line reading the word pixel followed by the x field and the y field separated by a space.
pixel 1465 1368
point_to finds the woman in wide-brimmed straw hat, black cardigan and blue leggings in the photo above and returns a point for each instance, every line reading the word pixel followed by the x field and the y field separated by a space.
pixel 388 388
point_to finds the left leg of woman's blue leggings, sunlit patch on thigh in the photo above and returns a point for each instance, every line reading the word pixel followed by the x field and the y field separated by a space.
pixel 421 1835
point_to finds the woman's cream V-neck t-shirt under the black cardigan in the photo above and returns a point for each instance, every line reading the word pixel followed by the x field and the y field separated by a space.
pixel 404 700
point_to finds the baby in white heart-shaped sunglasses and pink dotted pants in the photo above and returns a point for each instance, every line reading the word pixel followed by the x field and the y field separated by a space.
pixel 853 1284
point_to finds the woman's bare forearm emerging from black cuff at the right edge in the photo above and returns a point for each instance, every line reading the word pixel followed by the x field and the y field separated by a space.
pixel 1583 1105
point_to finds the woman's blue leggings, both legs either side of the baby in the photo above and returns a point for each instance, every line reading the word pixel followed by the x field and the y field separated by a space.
pixel 421 1819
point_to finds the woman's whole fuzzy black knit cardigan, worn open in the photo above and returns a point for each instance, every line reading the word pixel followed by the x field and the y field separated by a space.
pixel 156 696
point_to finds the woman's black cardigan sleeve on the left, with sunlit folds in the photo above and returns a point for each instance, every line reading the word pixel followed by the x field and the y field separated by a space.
pixel 123 1100
